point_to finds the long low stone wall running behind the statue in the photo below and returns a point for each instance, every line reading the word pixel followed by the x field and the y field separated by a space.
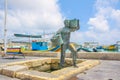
pixel 80 55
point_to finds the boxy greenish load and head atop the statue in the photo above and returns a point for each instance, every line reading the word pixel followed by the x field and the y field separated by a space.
pixel 73 25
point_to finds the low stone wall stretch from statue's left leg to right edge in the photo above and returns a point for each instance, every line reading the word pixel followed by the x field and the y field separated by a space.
pixel 97 55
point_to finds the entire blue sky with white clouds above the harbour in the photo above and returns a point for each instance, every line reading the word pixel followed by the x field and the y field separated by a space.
pixel 99 19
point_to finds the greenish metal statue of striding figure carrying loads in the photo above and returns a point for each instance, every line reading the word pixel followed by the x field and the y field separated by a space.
pixel 62 38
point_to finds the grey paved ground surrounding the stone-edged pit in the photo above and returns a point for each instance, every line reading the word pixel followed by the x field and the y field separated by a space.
pixel 107 70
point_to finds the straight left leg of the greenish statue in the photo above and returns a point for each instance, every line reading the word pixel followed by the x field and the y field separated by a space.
pixel 62 58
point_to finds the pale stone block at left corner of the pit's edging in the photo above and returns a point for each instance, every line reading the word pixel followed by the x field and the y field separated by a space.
pixel 11 70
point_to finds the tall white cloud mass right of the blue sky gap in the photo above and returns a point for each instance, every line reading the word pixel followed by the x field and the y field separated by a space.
pixel 102 27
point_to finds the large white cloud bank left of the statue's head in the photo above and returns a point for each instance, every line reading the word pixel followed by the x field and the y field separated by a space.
pixel 32 16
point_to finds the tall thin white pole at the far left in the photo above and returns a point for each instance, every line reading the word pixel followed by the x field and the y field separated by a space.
pixel 5 28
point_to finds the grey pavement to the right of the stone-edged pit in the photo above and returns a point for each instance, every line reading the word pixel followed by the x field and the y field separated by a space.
pixel 107 70
